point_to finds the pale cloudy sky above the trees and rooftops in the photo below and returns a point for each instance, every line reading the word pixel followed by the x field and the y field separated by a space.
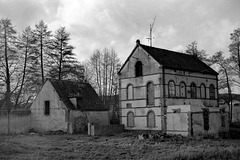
pixel 97 24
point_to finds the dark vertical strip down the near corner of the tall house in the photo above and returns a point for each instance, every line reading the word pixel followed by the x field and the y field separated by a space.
pixel 164 107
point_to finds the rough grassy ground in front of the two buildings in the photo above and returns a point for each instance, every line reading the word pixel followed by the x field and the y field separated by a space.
pixel 121 146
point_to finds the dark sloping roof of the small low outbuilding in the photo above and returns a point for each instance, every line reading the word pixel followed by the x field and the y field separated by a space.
pixel 88 99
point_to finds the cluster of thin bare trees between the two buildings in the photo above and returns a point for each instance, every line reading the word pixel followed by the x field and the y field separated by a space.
pixel 104 64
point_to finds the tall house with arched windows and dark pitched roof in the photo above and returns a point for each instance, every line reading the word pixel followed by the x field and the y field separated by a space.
pixel 151 79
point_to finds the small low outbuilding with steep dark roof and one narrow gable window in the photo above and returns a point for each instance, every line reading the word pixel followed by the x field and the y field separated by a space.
pixel 68 106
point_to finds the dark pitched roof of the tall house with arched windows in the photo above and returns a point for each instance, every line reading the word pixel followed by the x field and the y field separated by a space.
pixel 175 60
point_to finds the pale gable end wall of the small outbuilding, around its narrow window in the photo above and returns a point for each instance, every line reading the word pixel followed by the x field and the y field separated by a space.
pixel 56 120
